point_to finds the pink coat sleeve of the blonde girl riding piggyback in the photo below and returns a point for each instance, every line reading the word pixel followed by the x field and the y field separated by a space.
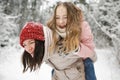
pixel 86 44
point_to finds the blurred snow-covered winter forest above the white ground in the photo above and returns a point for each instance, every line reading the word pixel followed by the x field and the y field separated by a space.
pixel 102 15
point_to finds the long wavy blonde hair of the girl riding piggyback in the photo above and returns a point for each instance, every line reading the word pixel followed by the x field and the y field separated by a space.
pixel 74 19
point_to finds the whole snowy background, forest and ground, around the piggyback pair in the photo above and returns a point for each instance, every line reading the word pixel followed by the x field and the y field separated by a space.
pixel 103 16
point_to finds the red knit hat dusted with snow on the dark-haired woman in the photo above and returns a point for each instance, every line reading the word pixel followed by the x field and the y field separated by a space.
pixel 31 30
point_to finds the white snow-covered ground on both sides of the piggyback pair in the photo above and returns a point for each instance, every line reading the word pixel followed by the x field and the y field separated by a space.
pixel 11 68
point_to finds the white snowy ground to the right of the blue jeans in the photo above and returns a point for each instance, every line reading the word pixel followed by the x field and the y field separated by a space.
pixel 106 66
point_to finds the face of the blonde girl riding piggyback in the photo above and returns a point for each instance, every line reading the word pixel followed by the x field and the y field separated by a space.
pixel 61 16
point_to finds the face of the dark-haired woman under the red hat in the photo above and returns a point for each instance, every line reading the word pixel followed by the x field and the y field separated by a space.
pixel 29 46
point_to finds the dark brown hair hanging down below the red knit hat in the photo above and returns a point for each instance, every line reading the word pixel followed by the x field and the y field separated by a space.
pixel 33 62
